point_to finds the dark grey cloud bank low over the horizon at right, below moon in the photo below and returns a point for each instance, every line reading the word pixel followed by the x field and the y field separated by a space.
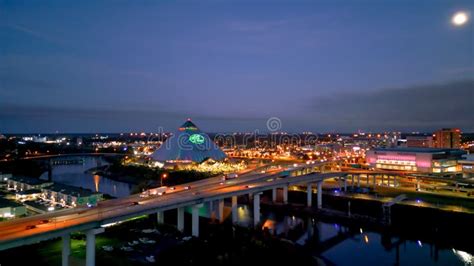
pixel 424 107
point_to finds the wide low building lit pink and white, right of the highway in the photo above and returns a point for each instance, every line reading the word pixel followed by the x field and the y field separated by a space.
pixel 427 160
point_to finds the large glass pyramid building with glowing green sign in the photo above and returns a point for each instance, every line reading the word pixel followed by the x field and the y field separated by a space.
pixel 188 144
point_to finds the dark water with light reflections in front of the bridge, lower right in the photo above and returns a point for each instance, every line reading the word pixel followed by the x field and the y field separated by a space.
pixel 334 244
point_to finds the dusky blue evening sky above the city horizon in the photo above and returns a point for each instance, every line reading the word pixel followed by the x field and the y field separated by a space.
pixel 114 66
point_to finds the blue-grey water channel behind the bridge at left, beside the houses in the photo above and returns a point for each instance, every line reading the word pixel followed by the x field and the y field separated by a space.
pixel 74 175
